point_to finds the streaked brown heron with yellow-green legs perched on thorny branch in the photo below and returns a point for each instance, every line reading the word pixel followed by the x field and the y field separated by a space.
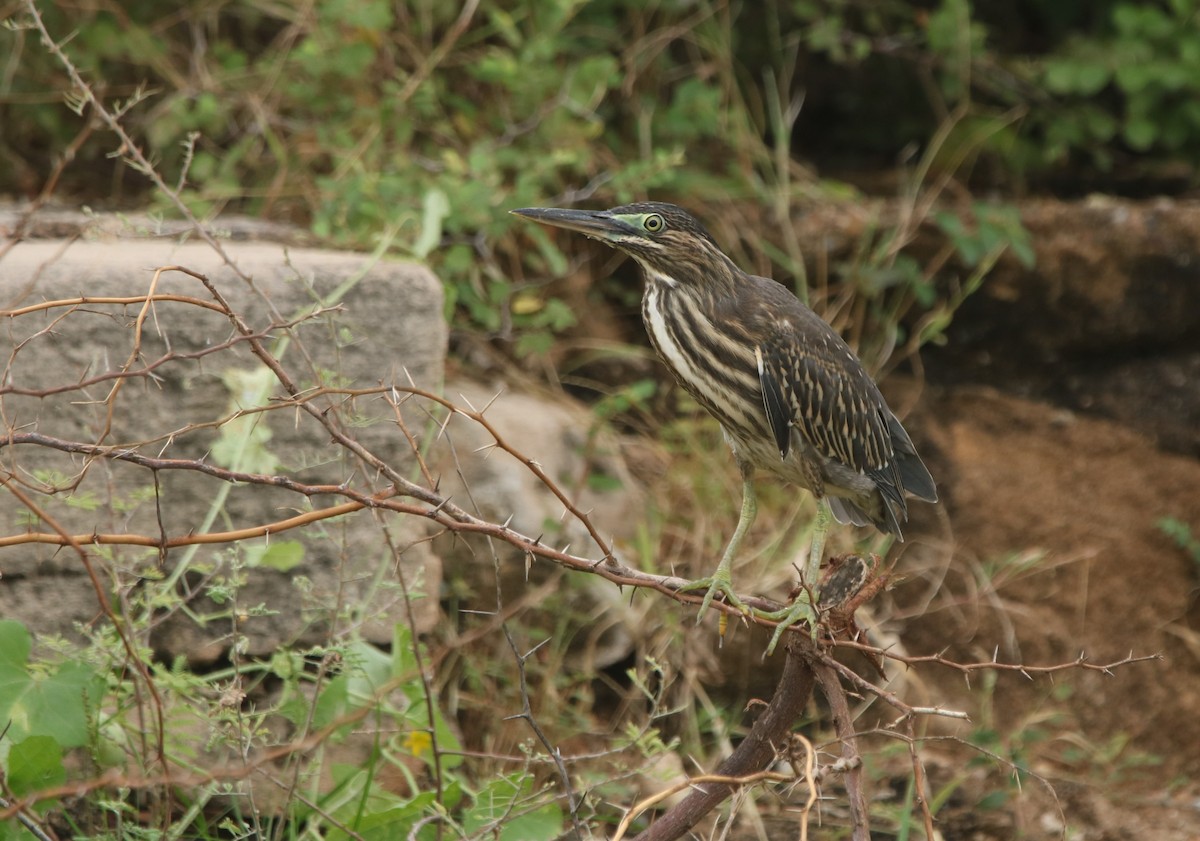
pixel 790 394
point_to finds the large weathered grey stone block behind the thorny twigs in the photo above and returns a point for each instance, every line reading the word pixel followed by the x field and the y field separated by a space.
pixel 388 328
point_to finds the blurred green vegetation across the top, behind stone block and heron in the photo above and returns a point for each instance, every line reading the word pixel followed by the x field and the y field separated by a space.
pixel 419 124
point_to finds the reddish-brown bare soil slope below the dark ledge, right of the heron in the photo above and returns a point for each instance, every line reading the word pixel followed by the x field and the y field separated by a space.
pixel 1081 500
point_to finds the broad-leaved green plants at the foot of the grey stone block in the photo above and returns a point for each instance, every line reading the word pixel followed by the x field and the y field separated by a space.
pixel 356 695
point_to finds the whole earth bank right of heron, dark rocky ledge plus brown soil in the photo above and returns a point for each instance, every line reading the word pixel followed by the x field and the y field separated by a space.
pixel 1064 420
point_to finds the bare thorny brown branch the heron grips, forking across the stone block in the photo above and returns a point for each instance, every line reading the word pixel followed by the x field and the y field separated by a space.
pixel 404 496
